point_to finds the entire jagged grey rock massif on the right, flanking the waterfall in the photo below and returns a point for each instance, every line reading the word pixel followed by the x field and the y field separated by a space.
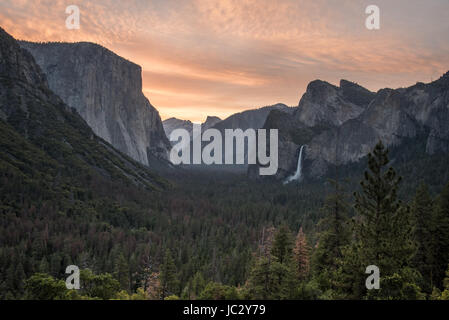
pixel 392 115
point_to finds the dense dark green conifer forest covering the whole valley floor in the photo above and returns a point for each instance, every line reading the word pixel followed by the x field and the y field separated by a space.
pixel 222 236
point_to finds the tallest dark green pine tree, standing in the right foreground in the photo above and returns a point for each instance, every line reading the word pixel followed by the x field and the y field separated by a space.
pixel 384 231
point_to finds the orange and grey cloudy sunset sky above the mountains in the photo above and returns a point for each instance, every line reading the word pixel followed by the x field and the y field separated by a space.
pixel 202 57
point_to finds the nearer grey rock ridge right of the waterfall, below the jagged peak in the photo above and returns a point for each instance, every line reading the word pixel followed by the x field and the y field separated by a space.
pixel 394 115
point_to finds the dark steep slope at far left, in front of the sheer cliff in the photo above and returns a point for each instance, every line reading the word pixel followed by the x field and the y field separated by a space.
pixel 45 140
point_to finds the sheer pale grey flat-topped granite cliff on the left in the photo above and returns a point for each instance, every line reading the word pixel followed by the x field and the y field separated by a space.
pixel 106 90
